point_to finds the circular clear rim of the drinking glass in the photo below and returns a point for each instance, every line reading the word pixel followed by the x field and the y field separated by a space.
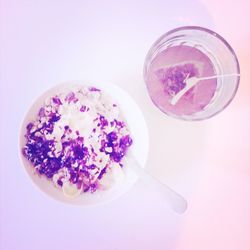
pixel 212 33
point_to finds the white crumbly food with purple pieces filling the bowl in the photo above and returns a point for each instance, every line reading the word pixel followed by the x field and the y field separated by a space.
pixel 78 141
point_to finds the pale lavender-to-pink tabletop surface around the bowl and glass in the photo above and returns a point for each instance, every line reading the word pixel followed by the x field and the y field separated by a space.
pixel 43 43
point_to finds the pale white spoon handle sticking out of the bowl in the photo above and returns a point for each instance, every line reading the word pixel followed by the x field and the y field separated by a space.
pixel 175 201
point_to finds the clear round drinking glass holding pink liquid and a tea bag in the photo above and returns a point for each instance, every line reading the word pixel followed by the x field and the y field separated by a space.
pixel 205 54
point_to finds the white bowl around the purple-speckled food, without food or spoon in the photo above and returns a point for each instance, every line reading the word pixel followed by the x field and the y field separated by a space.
pixel 139 149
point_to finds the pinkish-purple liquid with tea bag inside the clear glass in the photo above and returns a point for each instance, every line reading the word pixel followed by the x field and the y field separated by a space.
pixel 166 77
